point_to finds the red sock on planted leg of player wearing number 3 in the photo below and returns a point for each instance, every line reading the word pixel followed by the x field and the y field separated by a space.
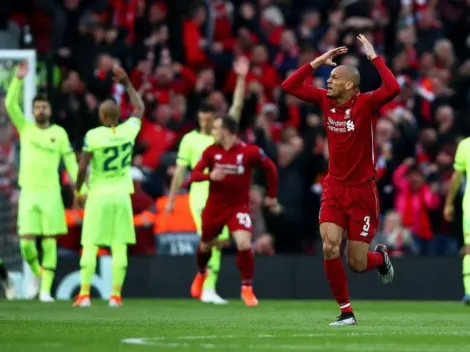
pixel 336 276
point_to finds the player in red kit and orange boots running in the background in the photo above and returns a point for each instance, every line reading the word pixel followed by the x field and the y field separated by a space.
pixel 230 163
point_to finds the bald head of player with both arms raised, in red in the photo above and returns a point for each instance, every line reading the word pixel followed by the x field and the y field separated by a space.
pixel 343 82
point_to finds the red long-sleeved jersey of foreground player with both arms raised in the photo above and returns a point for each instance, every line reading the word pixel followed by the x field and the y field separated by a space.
pixel 350 126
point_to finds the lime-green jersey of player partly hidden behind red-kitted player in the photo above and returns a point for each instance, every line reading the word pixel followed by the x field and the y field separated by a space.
pixel 190 151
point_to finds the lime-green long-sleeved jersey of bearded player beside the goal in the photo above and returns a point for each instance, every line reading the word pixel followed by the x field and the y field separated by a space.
pixel 42 149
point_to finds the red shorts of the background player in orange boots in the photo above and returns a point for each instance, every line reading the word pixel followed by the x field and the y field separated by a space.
pixel 213 221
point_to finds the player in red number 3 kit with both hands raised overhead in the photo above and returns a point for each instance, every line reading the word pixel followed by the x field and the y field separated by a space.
pixel 349 200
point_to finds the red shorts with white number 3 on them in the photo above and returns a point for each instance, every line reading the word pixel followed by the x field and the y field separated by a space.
pixel 355 208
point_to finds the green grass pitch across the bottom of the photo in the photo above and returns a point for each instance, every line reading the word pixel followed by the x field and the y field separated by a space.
pixel 181 325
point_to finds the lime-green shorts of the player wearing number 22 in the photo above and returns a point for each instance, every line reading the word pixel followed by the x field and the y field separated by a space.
pixel 108 219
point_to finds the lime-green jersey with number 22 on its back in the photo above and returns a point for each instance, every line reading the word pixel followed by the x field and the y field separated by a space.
pixel 112 156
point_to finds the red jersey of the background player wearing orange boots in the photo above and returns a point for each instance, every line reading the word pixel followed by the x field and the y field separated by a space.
pixel 238 163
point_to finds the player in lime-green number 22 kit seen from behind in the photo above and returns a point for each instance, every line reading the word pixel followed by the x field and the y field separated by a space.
pixel 108 218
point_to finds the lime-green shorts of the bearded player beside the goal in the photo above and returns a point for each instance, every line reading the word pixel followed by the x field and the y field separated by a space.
pixel 41 213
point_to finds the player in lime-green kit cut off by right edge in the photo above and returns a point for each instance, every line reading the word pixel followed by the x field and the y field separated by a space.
pixel 461 166
